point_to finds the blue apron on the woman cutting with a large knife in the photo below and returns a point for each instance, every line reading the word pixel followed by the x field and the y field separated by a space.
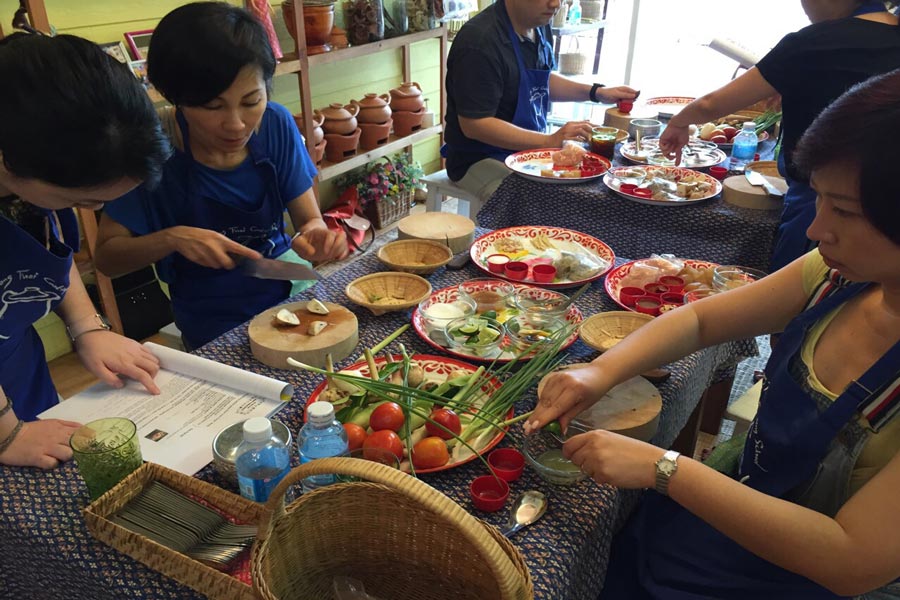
pixel 208 302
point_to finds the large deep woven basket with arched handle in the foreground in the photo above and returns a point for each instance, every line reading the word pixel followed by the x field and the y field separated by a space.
pixel 397 535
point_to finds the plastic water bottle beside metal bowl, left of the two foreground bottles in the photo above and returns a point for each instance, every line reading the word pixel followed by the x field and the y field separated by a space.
pixel 262 460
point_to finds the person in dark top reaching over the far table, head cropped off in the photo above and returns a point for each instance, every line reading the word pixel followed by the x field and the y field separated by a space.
pixel 848 42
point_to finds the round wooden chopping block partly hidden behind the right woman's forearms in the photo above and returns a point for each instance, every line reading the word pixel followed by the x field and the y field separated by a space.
pixel 631 408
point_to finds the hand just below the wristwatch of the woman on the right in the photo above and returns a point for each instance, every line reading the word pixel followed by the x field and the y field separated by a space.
pixel 608 457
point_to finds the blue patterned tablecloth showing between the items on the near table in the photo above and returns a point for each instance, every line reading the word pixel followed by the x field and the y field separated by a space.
pixel 47 552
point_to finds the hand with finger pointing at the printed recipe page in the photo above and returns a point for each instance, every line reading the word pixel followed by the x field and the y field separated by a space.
pixel 108 355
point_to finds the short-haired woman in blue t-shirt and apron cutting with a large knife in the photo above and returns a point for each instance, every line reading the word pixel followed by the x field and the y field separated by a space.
pixel 239 164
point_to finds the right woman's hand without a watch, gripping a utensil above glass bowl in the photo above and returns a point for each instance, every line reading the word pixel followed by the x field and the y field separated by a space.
pixel 566 393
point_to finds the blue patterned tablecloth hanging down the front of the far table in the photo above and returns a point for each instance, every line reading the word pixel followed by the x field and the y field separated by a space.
pixel 712 230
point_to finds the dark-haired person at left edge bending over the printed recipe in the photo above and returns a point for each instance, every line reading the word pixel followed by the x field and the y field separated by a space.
pixel 47 167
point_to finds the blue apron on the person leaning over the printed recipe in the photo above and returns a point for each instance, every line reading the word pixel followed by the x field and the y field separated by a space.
pixel 33 281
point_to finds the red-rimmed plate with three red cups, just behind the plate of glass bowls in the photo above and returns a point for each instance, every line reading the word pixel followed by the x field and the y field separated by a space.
pixel 545 244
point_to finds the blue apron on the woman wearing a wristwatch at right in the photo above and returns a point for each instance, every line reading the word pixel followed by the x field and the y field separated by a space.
pixel 666 552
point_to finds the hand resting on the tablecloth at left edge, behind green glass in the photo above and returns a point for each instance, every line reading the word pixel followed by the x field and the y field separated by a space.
pixel 42 444
